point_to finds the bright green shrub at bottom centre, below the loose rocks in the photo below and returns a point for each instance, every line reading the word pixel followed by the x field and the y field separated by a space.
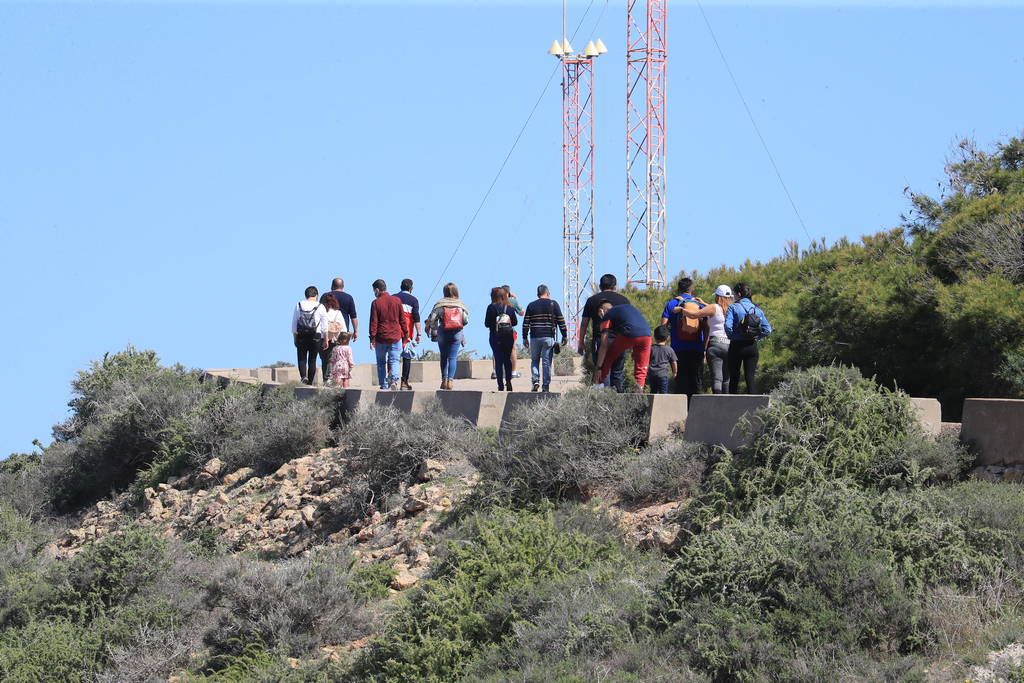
pixel 481 591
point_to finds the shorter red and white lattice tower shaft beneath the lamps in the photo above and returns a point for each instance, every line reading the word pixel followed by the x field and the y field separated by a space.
pixel 578 186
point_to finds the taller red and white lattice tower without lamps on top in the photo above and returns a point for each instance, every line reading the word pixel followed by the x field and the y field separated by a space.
pixel 647 62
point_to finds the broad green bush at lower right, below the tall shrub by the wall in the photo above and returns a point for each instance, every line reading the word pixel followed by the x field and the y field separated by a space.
pixel 822 570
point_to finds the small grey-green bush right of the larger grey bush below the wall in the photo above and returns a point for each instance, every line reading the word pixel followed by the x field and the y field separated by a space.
pixel 669 471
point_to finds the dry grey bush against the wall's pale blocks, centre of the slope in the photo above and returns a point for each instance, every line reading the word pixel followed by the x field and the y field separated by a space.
pixel 567 447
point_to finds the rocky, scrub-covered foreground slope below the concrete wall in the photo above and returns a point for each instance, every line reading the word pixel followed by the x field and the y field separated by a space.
pixel 181 531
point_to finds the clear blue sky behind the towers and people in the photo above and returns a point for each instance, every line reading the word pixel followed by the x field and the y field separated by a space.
pixel 173 176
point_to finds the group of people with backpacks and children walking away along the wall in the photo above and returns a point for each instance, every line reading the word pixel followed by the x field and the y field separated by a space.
pixel 723 334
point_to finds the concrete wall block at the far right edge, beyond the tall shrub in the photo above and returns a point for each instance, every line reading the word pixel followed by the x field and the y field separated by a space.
pixel 996 428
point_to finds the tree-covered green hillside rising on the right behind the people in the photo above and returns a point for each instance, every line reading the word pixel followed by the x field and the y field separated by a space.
pixel 933 307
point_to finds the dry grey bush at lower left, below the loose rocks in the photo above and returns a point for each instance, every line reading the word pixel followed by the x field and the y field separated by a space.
pixel 296 606
